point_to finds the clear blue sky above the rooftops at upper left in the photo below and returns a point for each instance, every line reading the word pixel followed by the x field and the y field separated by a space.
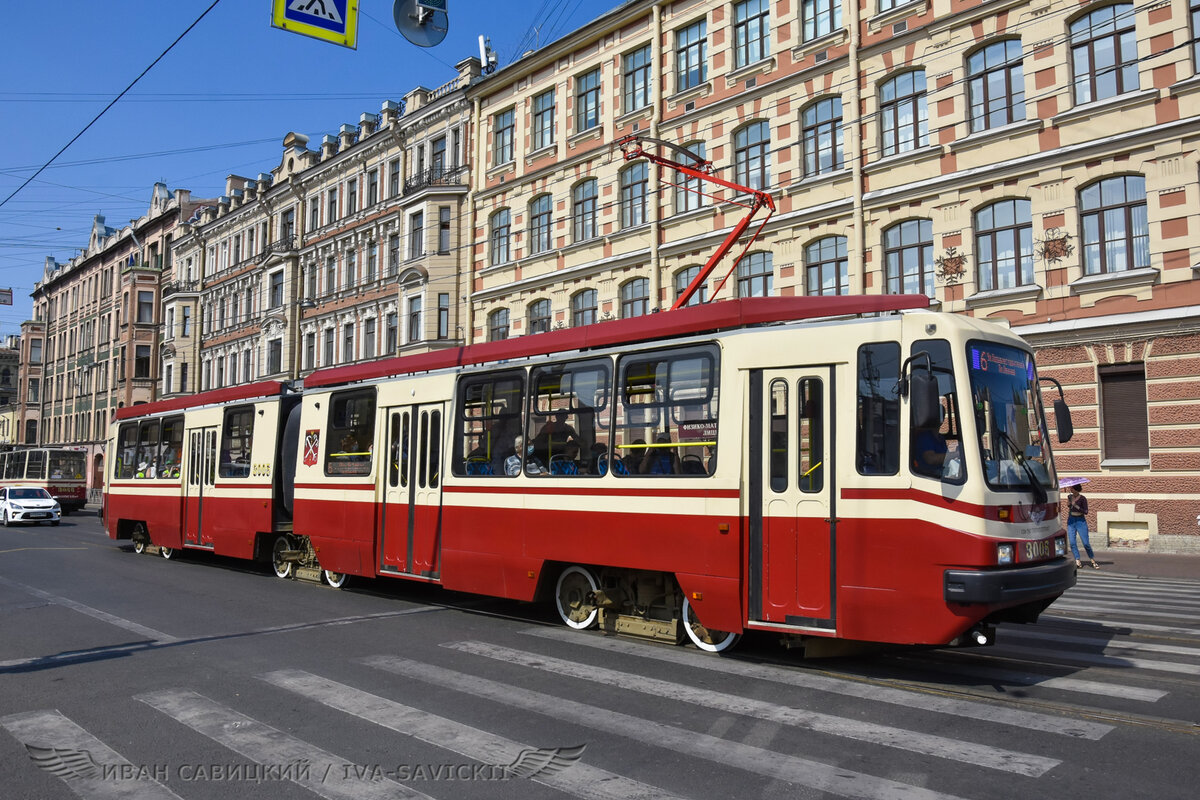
pixel 220 103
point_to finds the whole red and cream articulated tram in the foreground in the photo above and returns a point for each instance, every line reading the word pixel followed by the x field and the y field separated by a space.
pixel 825 468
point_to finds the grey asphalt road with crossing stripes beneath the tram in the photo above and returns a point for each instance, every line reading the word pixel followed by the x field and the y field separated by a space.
pixel 127 676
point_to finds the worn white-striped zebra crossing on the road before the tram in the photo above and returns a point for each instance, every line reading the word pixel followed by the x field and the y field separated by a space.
pixel 1111 637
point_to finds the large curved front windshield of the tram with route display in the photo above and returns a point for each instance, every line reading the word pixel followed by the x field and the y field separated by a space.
pixel 1010 419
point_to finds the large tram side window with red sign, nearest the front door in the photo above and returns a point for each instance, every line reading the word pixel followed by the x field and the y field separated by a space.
pixel 667 413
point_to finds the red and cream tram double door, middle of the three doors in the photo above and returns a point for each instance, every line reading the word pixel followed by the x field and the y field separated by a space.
pixel 412 516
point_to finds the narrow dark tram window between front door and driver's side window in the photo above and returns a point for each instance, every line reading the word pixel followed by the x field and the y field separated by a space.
pixel 879 410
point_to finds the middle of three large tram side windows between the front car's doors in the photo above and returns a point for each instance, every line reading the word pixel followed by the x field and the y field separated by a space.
pixel 569 426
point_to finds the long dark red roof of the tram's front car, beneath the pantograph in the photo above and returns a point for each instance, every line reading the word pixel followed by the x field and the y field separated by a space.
pixel 705 318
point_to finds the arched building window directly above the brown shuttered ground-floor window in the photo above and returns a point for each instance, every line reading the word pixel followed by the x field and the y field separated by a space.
pixel 1117 234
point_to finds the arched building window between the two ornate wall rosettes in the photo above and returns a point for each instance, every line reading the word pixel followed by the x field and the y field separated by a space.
pixel 1005 245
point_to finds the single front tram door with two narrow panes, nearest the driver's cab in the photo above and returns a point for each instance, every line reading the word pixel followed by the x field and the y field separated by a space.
pixel 793 513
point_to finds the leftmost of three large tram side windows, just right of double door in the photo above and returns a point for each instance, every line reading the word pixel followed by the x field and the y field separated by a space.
pixel 489 419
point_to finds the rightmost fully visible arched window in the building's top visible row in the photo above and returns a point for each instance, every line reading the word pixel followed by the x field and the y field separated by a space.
pixel 1105 53
